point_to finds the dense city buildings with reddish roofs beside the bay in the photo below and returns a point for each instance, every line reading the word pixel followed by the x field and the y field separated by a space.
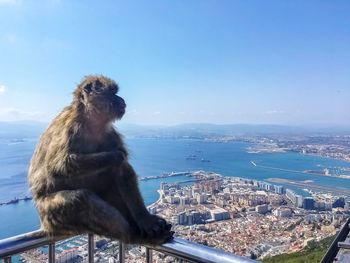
pixel 249 217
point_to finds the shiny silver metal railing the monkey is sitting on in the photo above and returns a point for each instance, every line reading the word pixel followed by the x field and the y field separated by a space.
pixel 181 249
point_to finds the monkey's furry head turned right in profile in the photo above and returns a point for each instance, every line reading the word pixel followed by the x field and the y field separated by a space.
pixel 97 95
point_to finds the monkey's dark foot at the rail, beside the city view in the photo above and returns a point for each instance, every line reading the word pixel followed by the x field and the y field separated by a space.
pixel 154 230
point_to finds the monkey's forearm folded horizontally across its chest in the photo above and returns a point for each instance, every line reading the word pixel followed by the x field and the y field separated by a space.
pixel 95 161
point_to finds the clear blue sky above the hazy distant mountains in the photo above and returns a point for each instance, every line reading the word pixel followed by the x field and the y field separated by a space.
pixel 280 62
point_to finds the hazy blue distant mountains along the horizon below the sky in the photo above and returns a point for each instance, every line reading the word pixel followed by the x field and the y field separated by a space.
pixel 25 129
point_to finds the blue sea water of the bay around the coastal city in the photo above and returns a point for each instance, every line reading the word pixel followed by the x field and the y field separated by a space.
pixel 151 157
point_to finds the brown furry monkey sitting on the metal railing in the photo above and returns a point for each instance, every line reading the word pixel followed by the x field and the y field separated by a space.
pixel 80 176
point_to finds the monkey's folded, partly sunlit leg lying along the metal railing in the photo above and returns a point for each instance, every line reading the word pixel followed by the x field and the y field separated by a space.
pixel 81 211
